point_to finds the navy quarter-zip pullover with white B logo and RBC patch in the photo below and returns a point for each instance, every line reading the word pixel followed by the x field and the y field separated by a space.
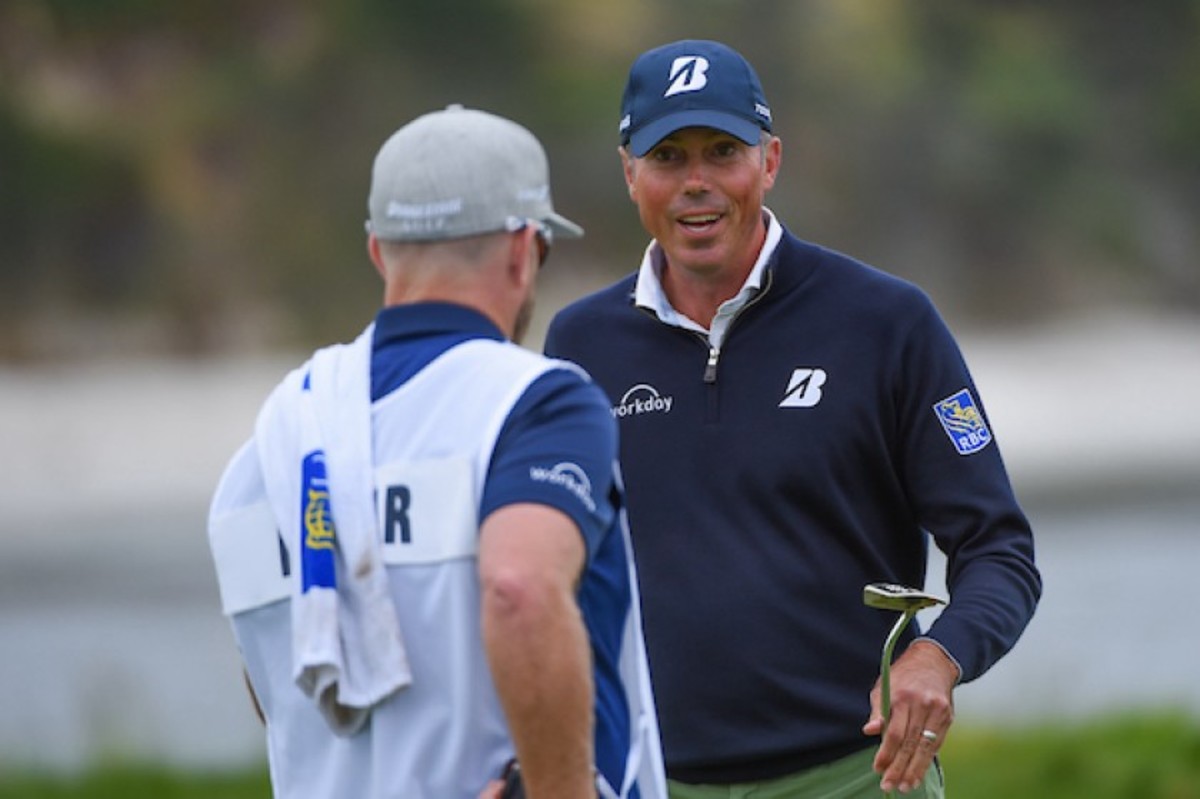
pixel 833 432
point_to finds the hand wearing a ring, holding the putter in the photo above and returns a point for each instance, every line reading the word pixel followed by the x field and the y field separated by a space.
pixel 922 700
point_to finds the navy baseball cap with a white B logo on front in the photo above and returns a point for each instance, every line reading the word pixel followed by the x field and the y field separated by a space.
pixel 692 83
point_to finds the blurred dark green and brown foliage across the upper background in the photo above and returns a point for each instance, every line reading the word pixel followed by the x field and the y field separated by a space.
pixel 191 178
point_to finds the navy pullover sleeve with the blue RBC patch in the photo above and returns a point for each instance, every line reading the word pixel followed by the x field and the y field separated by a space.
pixel 962 495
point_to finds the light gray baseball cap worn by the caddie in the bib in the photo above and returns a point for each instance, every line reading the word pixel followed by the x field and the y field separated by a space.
pixel 459 173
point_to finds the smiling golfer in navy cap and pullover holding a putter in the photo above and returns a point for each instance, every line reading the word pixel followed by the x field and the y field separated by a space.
pixel 795 425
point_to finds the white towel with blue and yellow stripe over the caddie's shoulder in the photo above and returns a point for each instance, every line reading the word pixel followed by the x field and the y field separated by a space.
pixel 314 438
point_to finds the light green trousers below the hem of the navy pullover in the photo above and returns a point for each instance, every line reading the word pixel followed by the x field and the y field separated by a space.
pixel 851 778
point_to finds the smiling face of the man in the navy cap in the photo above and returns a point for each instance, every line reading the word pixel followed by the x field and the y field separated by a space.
pixel 700 194
